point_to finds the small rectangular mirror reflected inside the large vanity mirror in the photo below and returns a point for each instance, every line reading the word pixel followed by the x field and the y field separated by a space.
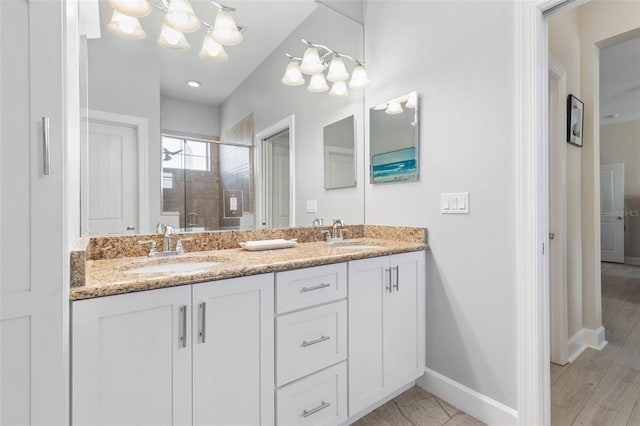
pixel 340 154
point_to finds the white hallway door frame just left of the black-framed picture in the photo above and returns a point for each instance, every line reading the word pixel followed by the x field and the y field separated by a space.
pixel 559 315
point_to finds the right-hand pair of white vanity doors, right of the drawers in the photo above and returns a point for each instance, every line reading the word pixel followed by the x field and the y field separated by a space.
pixel 386 326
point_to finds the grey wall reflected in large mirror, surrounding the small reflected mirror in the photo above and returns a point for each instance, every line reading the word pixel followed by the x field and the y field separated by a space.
pixel 264 95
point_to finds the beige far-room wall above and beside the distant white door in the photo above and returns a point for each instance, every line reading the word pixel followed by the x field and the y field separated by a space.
pixel 620 143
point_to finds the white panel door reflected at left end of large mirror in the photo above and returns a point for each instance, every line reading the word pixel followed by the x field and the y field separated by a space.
pixel 113 179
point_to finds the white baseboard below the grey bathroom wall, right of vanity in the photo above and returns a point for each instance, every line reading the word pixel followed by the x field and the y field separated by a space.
pixel 468 400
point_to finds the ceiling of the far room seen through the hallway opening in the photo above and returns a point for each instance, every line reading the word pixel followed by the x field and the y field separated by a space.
pixel 620 82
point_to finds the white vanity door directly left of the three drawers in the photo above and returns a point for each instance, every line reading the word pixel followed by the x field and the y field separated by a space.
pixel 233 353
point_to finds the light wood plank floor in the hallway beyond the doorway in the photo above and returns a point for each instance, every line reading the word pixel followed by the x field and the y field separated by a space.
pixel 602 388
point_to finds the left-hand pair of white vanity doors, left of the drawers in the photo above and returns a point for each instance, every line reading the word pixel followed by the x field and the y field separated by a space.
pixel 132 356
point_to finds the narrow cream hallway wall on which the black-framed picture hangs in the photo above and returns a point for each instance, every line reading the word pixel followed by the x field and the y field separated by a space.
pixel 564 46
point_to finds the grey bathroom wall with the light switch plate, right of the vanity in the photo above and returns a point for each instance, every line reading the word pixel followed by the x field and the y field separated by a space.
pixel 460 57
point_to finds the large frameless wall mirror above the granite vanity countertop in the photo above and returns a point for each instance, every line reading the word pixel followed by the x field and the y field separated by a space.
pixel 174 138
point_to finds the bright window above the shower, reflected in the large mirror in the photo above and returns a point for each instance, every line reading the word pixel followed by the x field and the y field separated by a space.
pixel 183 153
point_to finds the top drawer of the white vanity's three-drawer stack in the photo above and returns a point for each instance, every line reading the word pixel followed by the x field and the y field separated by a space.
pixel 307 287
